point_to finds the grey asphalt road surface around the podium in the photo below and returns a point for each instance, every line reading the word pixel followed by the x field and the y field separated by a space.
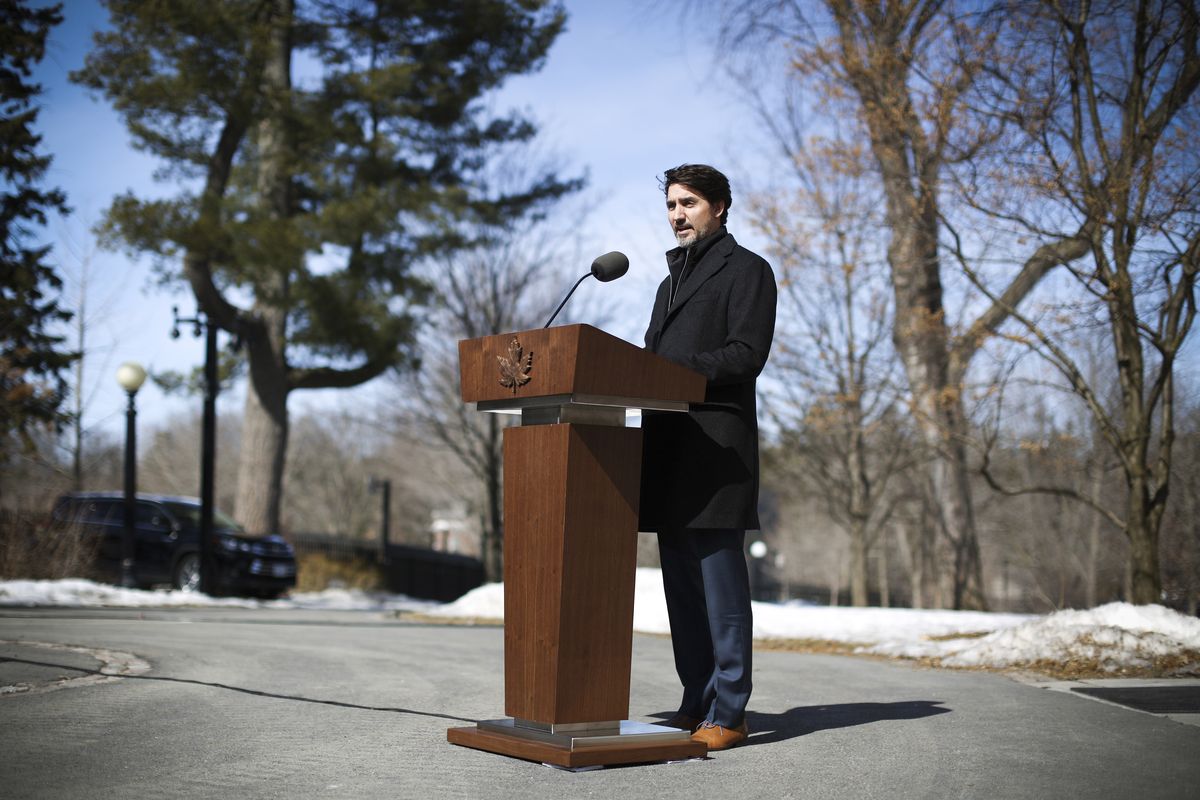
pixel 225 703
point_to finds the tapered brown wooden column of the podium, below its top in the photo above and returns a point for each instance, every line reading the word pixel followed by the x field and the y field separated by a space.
pixel 571 555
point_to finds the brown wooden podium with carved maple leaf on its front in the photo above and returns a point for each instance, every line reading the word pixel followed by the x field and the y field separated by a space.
pixel 572 483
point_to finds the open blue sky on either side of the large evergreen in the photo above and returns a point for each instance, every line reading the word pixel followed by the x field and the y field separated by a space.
pixel 625 95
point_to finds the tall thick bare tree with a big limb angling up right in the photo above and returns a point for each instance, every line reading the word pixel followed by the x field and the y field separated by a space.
pixel 905 69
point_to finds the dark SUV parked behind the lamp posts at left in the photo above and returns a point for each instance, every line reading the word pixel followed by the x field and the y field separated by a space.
pixel 167 544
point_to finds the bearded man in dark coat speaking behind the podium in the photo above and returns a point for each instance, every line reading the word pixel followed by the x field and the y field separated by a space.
pixel 713 314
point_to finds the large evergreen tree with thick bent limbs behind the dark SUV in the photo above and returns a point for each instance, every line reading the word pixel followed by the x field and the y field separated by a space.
pixel 307 202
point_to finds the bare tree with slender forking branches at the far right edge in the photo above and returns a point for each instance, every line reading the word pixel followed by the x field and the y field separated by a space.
pixel 1105 95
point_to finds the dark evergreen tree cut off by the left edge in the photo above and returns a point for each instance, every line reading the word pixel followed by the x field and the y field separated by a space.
pixel 32 357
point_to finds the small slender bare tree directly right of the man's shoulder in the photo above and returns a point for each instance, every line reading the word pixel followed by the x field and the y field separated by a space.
pixel 837 399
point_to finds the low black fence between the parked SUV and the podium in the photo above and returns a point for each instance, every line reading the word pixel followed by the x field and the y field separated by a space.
pixel 413 572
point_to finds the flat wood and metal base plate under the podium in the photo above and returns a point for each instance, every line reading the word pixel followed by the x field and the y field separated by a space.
pixel 627 743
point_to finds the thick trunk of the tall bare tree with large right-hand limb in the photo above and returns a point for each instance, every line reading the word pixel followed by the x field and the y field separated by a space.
pixel 879 68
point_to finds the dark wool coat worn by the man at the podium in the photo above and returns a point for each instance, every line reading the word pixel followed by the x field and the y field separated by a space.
pixel 700 470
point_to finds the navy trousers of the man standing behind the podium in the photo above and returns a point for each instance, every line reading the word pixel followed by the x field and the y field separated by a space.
pixel 709 603
